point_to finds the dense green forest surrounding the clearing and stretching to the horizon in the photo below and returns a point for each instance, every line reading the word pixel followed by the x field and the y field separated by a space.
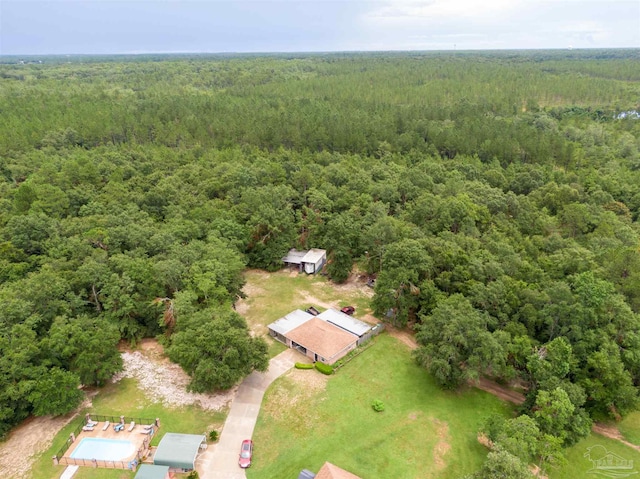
pixel 495 197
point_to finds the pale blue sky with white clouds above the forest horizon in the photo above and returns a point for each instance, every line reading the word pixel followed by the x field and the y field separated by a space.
pixel 212 26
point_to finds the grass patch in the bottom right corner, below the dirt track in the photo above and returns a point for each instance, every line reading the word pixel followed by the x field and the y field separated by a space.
pixel 578 465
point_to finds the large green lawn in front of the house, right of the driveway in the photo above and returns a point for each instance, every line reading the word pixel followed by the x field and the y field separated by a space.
pixel 424 432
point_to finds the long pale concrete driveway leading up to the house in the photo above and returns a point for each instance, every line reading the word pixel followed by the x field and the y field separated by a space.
pixel 220 461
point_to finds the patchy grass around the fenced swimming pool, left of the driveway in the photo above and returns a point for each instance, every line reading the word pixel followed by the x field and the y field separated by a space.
pixel 124 398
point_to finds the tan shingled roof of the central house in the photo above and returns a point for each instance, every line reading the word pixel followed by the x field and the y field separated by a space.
pixel 321 337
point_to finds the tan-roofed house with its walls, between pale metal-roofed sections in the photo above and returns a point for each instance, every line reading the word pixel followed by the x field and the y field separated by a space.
pixel 321 341
